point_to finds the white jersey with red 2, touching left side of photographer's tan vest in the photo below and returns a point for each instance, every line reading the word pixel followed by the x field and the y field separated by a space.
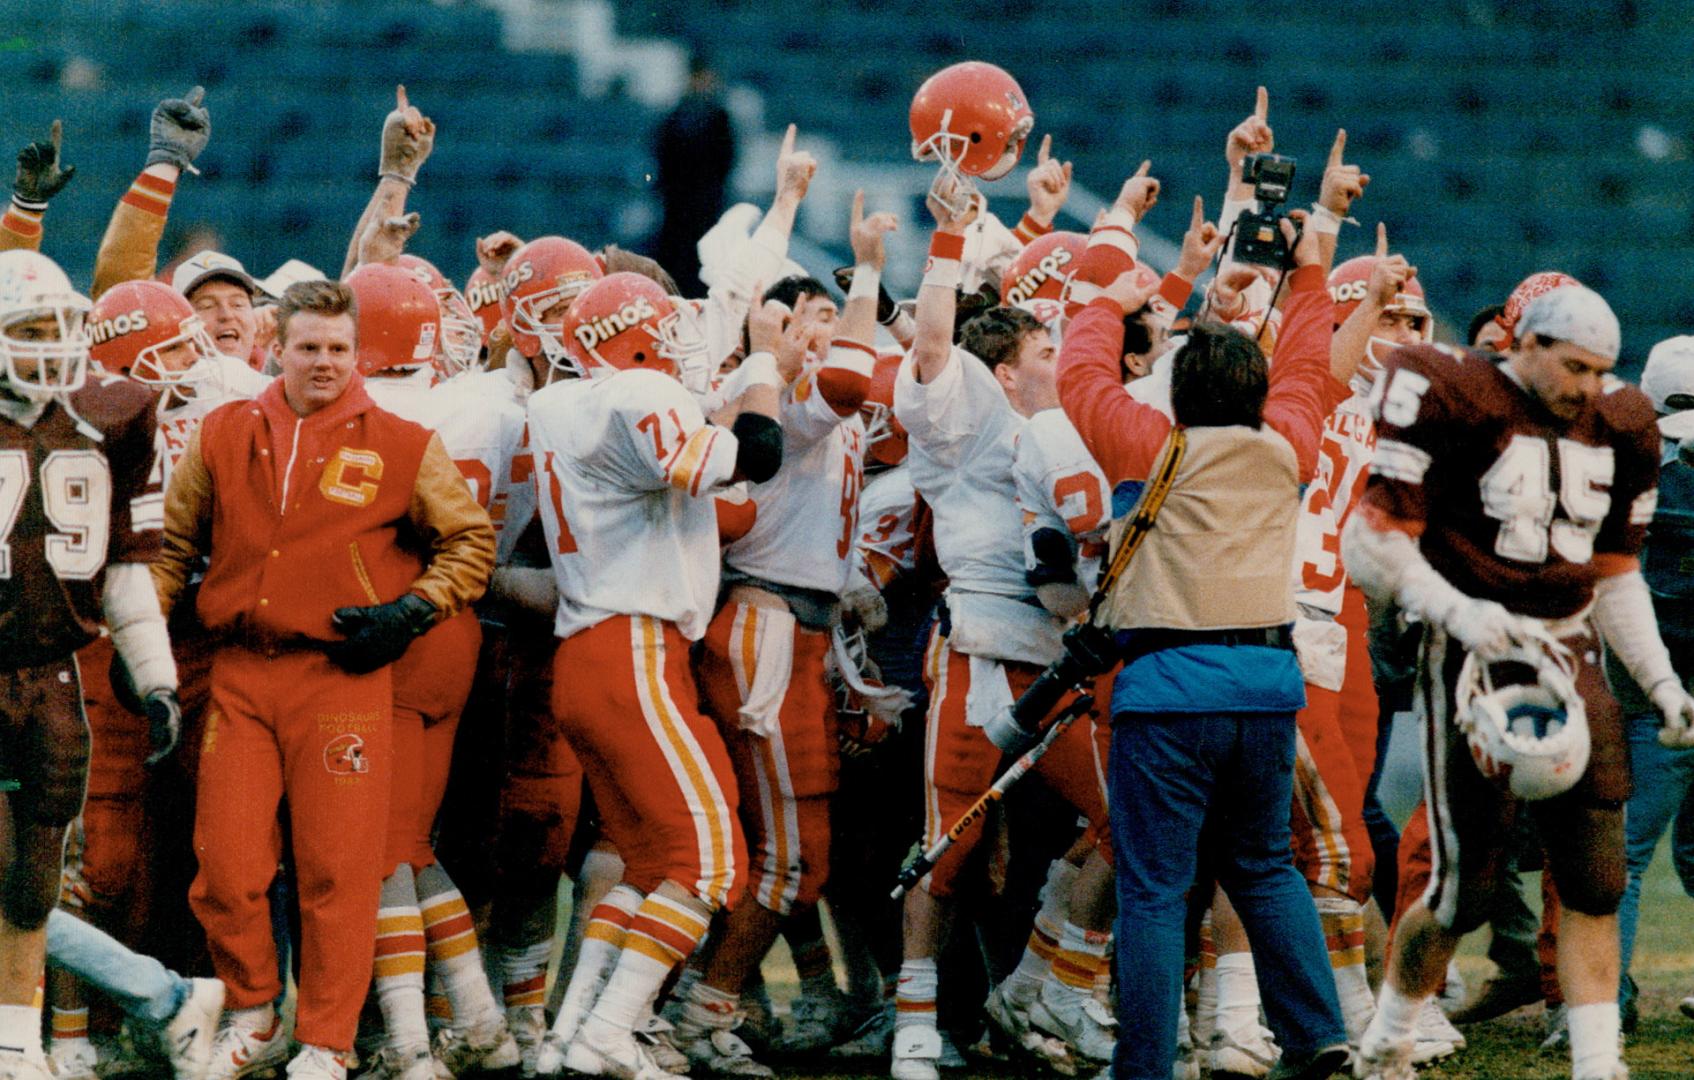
pixel 1063 488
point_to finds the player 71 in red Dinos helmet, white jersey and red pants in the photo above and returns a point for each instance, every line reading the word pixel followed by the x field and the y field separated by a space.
pixel 628 466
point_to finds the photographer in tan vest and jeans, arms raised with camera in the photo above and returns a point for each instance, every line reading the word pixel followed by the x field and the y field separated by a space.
pixel 1205 705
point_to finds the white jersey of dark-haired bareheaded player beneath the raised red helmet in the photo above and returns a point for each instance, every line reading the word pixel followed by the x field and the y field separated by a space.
pixel 963 434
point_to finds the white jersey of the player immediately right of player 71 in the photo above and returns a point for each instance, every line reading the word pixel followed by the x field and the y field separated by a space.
pixel 809 512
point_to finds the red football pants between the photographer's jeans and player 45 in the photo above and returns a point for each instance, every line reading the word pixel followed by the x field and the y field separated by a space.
pixel 1336 751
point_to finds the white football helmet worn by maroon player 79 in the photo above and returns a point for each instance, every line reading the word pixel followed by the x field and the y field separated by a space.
pixel 47 363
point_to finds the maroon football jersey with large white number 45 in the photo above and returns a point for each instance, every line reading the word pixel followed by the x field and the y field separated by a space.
pixel 1515 502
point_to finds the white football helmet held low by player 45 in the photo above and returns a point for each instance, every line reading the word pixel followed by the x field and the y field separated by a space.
pixel 1529 737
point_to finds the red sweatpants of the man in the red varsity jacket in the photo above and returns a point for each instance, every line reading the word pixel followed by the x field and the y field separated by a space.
pixel 294 725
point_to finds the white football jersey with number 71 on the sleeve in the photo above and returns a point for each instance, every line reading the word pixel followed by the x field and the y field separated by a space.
pixel 626 466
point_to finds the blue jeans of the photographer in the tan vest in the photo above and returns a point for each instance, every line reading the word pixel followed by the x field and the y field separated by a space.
pixel 1171 776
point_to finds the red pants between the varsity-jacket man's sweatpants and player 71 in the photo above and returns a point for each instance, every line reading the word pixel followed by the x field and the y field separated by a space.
pixel 433 683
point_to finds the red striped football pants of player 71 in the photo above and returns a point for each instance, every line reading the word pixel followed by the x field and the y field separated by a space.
pixel 656 766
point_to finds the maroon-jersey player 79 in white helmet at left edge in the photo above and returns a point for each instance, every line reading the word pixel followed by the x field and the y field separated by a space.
pixel 82 521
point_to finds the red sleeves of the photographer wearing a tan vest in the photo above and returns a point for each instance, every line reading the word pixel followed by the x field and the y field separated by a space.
pixel 1126 436
